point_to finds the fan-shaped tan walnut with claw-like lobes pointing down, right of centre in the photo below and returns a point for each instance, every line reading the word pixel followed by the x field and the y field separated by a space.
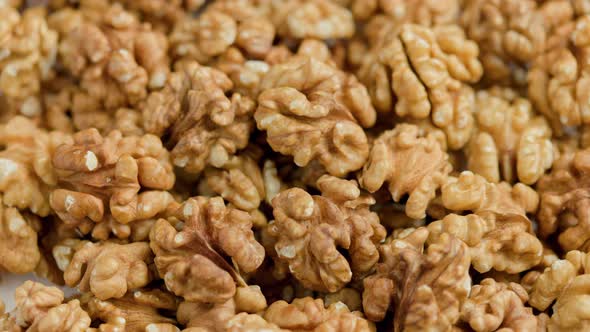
pixel 412 162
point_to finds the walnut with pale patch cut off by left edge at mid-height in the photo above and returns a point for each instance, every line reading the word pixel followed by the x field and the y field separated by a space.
pixel 26 173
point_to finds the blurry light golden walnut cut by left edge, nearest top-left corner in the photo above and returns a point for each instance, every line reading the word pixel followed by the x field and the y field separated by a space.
pixel 27 55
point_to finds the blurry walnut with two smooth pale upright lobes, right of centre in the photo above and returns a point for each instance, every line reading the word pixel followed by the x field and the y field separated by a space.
pixel 510 142
